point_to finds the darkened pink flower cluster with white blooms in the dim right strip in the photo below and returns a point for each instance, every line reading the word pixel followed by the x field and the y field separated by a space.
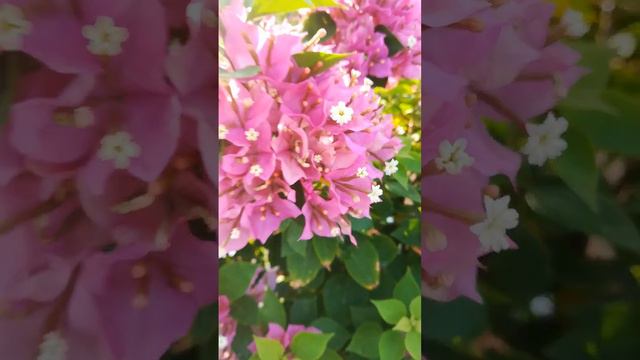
pixel 482 59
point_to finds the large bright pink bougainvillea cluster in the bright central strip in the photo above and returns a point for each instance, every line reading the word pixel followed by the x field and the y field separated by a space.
pixel 291 133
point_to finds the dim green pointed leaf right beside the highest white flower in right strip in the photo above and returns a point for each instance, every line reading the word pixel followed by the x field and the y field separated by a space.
pixel 577 167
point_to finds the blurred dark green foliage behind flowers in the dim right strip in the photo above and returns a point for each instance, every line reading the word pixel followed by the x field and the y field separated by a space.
pixel 572 289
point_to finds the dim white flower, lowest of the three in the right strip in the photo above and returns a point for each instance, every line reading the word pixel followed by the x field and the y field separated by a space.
pixel 499 219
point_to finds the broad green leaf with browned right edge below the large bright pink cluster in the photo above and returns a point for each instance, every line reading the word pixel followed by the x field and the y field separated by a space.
pixel 363 264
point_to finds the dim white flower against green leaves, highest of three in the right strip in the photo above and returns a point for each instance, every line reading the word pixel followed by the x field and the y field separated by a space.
pixel 545 140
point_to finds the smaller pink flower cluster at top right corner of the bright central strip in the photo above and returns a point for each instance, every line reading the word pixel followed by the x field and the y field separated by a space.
pixel 363 25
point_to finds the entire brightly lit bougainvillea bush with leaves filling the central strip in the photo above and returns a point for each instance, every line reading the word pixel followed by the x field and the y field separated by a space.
pixel 319 230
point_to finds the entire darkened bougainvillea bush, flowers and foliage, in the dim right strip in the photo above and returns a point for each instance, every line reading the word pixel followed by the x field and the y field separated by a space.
pixel 541 163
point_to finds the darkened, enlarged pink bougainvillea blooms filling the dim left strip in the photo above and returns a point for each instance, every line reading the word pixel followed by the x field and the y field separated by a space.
pixel 108 160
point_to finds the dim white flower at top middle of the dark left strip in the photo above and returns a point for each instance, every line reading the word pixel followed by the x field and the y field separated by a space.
pixel 105 38
